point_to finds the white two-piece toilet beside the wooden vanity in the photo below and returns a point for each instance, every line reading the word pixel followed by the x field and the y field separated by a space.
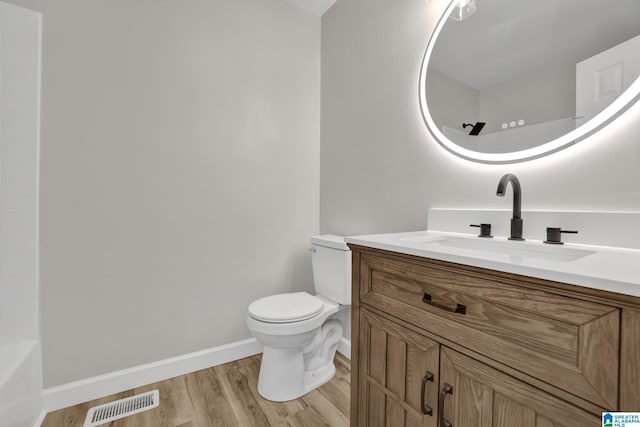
pixel 300 332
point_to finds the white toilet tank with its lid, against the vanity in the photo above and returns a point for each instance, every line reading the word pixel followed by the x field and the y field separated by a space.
pixel 331 262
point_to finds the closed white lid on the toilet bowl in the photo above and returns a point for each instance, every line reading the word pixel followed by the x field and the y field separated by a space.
pixel 283 308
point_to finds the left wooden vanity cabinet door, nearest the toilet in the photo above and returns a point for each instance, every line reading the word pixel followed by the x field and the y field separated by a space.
pixel 398 375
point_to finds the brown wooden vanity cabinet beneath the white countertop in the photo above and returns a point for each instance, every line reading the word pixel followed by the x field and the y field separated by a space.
pixel 515 351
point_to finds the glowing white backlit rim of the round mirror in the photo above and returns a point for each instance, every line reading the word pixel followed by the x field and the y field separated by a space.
pixel 606 116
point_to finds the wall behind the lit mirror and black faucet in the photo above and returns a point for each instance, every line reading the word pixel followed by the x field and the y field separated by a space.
pixel 380 167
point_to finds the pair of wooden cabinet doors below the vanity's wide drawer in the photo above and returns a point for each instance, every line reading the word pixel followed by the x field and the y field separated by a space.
pixel 406 379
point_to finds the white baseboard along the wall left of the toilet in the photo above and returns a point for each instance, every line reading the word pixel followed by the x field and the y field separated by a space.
pixel 115 382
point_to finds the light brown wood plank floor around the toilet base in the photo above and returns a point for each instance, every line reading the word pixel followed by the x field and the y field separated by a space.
pixel 226 395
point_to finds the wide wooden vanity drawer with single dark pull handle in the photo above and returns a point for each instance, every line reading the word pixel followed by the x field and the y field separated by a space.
pixel 569 343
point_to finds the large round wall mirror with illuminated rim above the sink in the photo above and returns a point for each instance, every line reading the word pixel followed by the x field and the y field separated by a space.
pixel 506 81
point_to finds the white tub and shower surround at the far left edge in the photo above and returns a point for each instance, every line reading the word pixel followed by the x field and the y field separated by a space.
pixel 20 350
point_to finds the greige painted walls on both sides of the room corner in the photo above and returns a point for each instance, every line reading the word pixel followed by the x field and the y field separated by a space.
pixel 179 163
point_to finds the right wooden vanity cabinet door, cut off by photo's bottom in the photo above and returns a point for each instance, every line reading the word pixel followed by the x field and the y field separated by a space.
pixel 473 394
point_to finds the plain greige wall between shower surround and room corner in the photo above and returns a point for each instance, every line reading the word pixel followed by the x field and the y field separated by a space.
pixel 180 173
